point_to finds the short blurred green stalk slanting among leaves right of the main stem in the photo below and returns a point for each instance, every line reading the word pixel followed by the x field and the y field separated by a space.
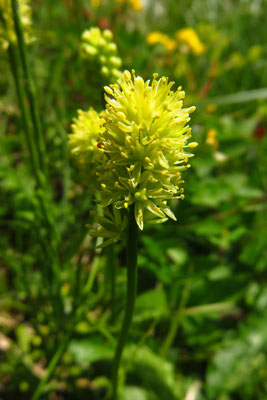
pixel 176 320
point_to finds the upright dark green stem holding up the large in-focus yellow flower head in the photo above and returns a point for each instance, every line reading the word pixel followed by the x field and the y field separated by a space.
pixel 130 298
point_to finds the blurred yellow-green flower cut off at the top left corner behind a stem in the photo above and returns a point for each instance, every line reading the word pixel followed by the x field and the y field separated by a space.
pixel 7 31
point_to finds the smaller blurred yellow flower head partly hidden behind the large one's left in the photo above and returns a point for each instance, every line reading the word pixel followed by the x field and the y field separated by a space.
pixel 83 143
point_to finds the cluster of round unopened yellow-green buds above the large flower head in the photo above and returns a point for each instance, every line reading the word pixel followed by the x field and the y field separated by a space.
pixel 98 45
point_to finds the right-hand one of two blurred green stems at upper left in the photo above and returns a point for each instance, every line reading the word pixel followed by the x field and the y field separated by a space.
pixel 29 87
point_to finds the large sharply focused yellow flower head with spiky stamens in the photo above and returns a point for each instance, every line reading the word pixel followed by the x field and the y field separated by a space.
pixel 144 142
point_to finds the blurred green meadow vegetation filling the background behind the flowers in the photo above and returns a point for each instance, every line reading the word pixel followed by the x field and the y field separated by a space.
pixel 199 328
